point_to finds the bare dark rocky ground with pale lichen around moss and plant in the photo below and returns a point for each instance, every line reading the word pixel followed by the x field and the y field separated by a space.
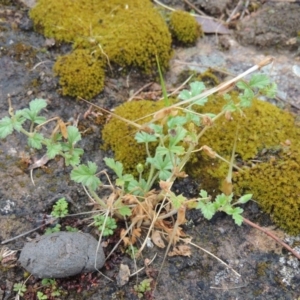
pixel 266 271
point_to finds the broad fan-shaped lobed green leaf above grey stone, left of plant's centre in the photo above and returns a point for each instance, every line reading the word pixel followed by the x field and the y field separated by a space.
pixel 85 174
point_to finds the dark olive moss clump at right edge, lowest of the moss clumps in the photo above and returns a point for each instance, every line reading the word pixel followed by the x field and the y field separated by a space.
pixel 275 185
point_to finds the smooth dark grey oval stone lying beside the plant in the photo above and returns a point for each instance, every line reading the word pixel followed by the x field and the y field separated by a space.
pixel 61 254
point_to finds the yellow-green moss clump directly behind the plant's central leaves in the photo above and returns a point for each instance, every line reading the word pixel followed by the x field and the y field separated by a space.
pixel 119 136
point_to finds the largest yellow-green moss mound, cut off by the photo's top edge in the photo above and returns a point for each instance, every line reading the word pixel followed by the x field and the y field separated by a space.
pixel 127 33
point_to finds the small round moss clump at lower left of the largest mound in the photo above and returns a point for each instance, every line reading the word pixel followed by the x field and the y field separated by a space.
pixel 81 73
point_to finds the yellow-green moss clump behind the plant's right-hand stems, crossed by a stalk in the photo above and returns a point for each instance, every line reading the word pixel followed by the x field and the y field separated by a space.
pixel 262 126
